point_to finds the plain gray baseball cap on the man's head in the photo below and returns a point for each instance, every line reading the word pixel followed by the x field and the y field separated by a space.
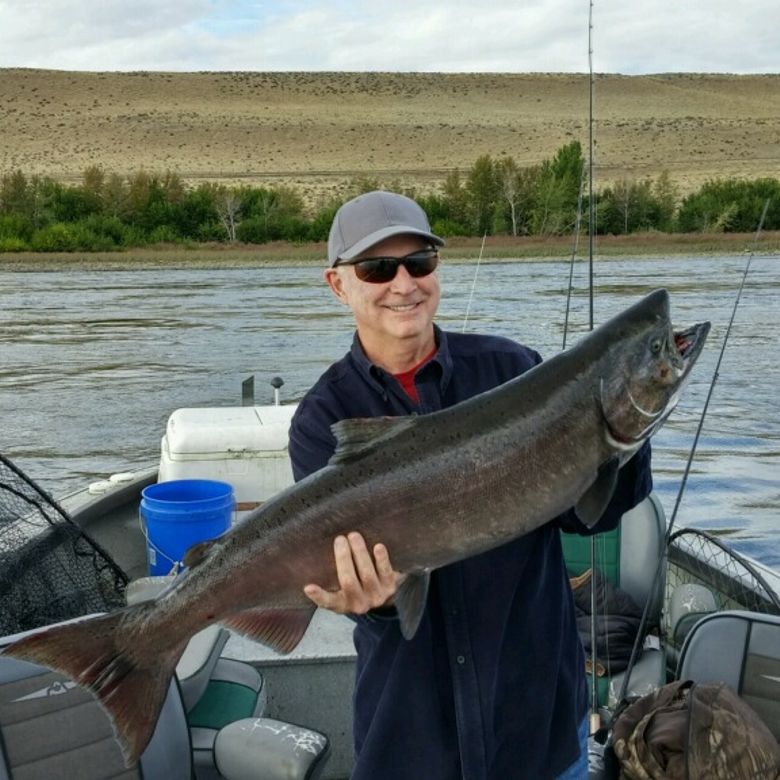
pixel 372 217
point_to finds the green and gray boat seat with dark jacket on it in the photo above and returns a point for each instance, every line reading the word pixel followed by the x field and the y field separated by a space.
pixel 628 556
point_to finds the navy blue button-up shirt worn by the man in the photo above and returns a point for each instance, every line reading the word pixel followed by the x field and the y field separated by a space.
pixel 492 686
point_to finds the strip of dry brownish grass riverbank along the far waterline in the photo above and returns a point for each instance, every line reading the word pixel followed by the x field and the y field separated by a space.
pixel 497 248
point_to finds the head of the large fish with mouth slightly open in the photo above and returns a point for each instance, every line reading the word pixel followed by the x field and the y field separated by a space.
pixel 646 366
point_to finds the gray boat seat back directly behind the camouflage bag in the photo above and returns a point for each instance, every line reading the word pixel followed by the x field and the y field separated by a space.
pixel 741 649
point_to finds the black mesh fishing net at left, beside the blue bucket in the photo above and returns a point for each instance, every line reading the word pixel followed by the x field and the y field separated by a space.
pixel 50 570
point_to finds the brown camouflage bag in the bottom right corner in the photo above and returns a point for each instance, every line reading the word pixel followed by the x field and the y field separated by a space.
pixel 694 732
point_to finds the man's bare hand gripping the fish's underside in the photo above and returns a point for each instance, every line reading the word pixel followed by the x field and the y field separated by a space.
pixel 365 582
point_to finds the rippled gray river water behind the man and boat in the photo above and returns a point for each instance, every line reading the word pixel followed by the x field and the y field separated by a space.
pixel 93 362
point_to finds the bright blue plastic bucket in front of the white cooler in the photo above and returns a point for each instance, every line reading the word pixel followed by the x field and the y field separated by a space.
pixel 180 513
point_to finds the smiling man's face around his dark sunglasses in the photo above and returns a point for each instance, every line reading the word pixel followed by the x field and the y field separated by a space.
pixel 399 310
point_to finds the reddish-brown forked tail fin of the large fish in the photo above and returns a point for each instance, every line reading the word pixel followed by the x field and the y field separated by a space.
pixel 111 656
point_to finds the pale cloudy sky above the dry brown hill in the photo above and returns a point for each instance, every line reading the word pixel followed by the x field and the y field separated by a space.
pixel 513 36
